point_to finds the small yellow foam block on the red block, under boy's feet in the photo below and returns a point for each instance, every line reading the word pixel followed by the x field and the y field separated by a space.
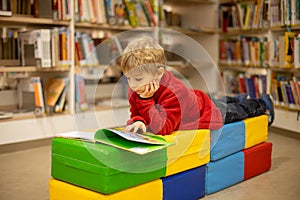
pixel 256 129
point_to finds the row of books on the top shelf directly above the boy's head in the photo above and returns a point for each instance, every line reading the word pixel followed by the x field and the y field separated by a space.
pixel 118 12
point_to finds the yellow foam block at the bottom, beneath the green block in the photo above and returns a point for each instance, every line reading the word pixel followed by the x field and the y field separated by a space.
pixel 59 190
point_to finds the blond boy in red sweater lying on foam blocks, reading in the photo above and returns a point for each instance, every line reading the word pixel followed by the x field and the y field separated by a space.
pixel 161 103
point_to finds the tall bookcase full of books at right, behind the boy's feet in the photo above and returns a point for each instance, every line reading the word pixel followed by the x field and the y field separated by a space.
pixel 245 48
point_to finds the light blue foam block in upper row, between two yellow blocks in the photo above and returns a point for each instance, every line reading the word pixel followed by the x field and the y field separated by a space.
pixel 227 140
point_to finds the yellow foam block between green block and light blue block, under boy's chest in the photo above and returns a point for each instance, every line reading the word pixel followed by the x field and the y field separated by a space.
pixel 191 149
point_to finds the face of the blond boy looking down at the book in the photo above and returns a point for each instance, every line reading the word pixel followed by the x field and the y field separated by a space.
pixel 138 80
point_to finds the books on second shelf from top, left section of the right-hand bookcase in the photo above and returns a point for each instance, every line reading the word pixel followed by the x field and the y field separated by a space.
pixel 246 51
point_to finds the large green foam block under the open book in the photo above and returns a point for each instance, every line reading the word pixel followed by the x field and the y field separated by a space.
pixel 103 168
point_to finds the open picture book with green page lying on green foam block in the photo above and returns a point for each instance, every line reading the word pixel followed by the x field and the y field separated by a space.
pixel 133 142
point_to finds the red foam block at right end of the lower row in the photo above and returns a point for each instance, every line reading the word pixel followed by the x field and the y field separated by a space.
pixel 257 159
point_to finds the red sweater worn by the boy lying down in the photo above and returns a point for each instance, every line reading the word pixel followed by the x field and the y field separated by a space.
pixel 174 107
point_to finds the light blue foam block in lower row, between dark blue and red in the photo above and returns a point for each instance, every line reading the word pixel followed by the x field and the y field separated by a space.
pixel 224 172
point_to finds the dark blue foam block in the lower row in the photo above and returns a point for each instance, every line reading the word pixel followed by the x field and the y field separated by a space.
pixel 189 184
